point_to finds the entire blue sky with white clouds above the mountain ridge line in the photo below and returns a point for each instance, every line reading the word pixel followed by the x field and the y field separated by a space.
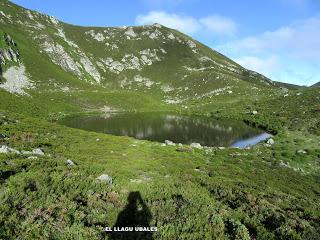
pixel 278 38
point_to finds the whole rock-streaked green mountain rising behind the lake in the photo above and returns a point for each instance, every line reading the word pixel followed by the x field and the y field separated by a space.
pixel 61 62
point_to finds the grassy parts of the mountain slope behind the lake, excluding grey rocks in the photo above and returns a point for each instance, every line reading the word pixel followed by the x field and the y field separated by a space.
pixel 82 95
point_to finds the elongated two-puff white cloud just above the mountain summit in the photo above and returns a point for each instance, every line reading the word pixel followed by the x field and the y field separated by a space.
pixel 213 24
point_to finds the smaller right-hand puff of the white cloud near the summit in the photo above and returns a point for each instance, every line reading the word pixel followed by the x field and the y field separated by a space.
pixel 219 24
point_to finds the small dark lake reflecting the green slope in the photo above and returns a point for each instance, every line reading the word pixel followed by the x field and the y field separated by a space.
pixel 177 128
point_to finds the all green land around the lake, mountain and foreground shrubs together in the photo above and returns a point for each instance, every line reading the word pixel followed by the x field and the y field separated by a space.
pixel 49 173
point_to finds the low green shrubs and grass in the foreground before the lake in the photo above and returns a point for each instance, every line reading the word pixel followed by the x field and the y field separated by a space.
pixel 258 193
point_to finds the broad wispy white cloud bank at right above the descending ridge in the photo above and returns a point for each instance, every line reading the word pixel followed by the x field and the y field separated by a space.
pixel 289 54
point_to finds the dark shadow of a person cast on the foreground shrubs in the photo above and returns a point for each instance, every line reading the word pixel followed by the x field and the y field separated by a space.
pixel 135 214
